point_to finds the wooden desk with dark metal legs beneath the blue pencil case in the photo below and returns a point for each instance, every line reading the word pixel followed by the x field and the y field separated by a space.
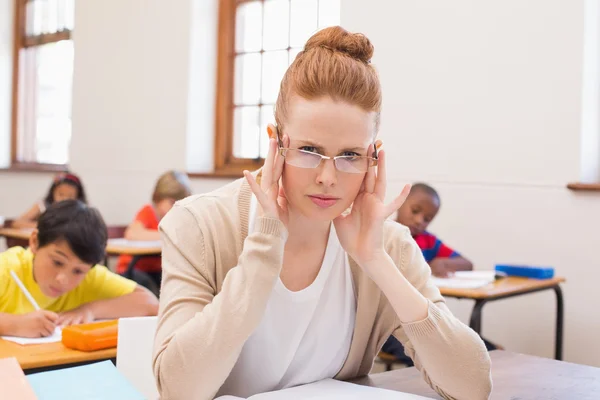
pixel 510 287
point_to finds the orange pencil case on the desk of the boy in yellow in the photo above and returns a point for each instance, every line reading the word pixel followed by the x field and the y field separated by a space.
pixel 92 336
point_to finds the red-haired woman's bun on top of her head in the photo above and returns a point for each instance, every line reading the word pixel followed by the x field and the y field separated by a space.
pixel 336 38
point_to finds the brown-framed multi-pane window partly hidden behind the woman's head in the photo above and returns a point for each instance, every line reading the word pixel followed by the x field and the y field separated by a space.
pixel 258 40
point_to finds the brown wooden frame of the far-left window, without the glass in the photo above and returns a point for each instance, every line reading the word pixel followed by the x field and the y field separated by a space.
pixel 22 41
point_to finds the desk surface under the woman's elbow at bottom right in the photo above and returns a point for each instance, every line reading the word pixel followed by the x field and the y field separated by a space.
pixel 515 376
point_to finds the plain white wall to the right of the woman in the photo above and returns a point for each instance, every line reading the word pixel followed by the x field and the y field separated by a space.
pixel 483 100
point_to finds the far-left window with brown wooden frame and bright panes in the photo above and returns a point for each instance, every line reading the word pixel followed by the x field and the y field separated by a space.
pixel 42 81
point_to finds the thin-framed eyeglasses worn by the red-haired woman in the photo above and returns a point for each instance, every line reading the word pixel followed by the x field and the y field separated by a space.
pixel 306 159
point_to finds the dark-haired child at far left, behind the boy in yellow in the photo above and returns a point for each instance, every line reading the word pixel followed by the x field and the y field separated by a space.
pixel 65 186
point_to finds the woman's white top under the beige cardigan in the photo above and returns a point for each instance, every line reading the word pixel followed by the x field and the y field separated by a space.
pixel 303 336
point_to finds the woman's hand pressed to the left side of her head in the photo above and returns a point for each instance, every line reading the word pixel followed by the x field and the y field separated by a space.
pixel 272 203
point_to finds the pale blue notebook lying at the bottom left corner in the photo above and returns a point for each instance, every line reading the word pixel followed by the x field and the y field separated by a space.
pixel 99 381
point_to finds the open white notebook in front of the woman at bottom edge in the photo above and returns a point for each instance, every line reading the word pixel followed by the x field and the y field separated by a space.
pixel 330 389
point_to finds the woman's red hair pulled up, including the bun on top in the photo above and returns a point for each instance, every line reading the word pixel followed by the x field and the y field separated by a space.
pixel 334 63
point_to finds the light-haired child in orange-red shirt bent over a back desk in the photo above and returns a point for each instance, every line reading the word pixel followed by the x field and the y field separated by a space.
pixel 170 187
